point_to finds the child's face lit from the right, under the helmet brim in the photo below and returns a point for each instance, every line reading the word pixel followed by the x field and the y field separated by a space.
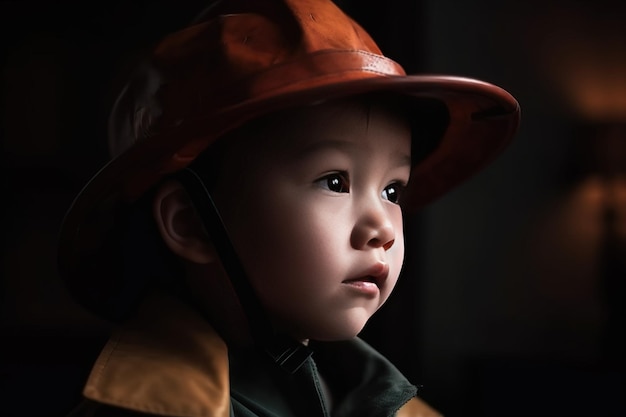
pixel 315 217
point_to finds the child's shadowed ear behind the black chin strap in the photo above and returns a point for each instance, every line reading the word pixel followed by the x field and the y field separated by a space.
pixel 179 224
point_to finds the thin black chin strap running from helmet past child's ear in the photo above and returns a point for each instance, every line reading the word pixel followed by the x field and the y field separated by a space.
pixel 285 351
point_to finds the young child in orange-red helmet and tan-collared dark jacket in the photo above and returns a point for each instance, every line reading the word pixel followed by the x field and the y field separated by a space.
pixel 250 221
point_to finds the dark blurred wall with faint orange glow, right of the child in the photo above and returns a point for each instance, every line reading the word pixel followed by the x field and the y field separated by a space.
pixel 514 311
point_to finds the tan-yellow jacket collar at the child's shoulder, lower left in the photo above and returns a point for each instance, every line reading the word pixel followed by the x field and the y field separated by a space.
pixel 167 361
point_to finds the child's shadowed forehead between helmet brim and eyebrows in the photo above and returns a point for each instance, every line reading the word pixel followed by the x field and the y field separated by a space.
pixel 284 136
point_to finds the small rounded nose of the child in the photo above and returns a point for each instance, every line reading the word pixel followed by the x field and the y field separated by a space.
pixel 374 229
